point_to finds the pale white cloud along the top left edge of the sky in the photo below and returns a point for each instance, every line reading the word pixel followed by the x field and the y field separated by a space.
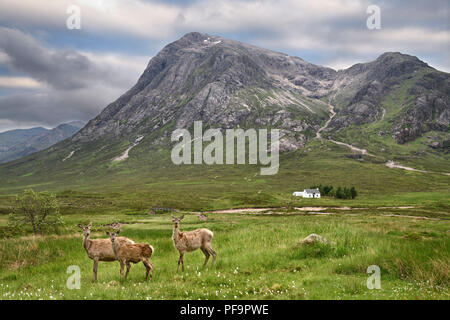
pixel 132 17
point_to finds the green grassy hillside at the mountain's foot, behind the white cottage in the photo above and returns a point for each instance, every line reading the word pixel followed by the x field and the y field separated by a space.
pixel 149 177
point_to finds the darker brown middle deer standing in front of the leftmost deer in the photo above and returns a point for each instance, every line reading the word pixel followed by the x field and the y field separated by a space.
pixel 135 253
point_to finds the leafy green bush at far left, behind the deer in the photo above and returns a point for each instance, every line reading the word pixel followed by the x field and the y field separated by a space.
pixel 38 211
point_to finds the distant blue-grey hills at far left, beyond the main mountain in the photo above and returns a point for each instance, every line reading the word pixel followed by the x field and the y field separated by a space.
pixel 19 143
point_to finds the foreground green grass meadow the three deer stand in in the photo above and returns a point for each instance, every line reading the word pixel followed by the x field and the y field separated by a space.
pixel 258 258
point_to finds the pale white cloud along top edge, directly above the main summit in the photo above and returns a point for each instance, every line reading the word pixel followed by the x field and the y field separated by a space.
pixel 238 15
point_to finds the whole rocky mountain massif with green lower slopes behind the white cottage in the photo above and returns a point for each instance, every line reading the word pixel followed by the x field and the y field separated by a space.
pixel 395 108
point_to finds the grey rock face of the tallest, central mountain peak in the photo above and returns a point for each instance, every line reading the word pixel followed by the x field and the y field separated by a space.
pixel 225 84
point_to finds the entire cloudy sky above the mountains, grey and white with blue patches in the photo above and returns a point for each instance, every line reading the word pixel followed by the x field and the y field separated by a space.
pixel 50 74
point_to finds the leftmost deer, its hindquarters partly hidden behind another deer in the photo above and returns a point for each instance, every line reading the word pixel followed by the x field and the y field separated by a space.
pixel 99 249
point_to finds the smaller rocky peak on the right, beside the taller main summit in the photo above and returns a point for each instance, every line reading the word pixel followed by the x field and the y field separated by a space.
pixel 423 96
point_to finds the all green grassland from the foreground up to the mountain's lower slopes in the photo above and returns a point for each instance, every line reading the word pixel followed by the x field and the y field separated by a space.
pixel 258 255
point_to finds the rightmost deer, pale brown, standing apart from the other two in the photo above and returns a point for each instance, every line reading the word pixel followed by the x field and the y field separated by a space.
pixel 192 240
